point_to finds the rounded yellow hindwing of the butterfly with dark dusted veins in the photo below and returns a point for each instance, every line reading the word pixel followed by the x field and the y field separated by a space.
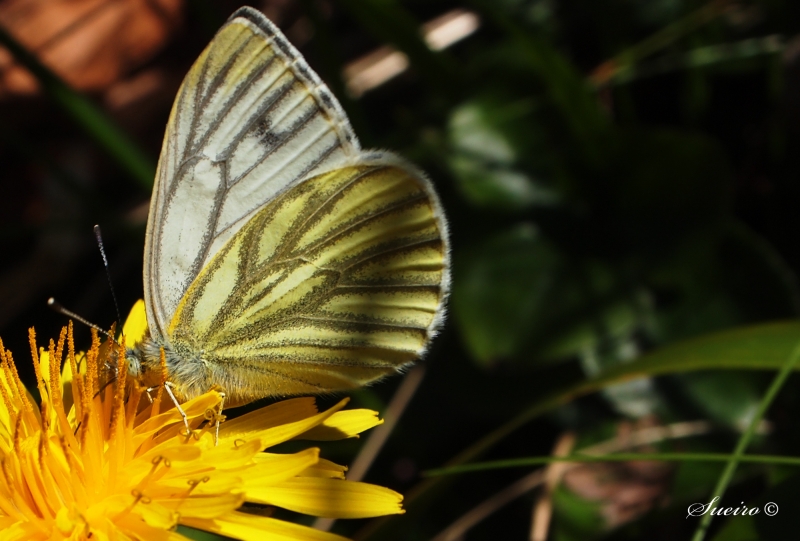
pixel 335 283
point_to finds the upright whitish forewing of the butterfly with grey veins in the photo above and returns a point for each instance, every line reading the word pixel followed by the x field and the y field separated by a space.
pixel 251 120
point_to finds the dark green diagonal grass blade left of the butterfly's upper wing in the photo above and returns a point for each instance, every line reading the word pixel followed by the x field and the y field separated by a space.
pixel 86 114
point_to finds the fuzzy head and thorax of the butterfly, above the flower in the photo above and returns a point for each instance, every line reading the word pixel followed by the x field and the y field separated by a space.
pixel 185 367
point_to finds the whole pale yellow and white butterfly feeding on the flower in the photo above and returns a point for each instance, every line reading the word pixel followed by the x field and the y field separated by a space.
pixel 280 257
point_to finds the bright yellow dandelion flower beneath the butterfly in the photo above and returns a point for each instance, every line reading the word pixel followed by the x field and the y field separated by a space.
pixel 105 460
